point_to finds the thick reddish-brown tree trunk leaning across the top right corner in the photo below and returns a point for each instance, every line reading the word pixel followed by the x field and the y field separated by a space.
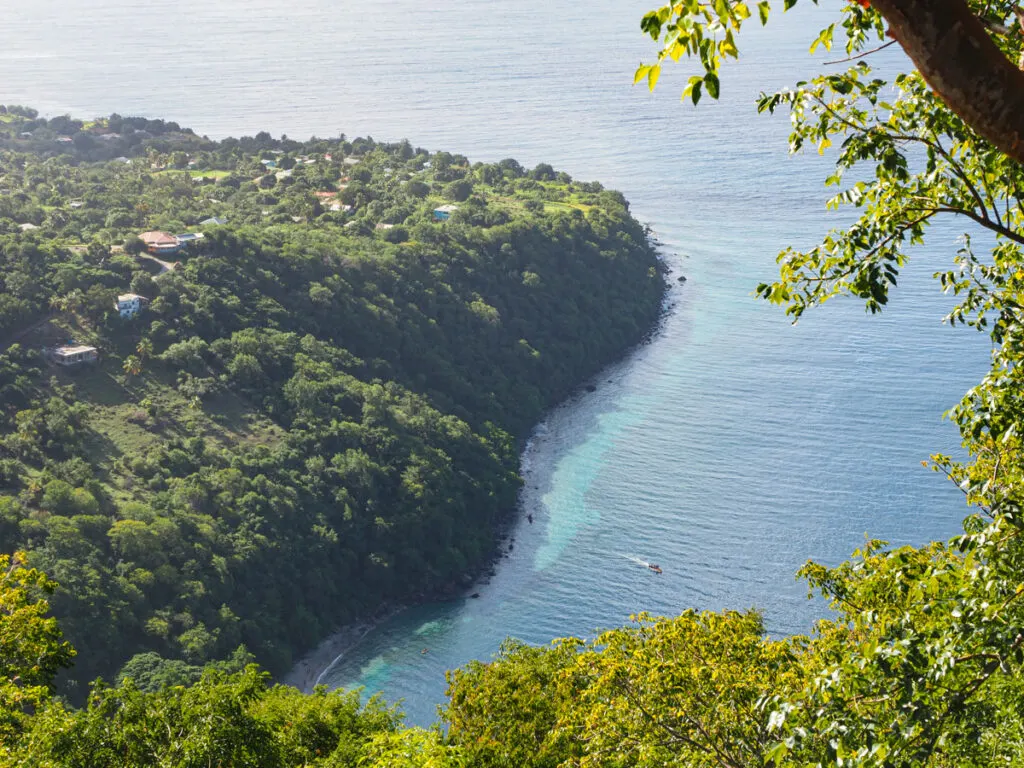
pixel 954 53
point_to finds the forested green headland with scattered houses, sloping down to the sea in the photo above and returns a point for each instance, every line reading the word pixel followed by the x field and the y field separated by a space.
pixel 317 407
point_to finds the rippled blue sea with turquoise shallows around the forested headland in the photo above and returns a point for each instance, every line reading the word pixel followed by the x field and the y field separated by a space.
pixel 731 449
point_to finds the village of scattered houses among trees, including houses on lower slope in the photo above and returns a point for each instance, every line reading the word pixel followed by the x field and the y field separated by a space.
pixel 172 188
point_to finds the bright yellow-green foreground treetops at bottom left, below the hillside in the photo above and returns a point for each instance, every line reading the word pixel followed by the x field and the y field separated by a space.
pixel 226 718
